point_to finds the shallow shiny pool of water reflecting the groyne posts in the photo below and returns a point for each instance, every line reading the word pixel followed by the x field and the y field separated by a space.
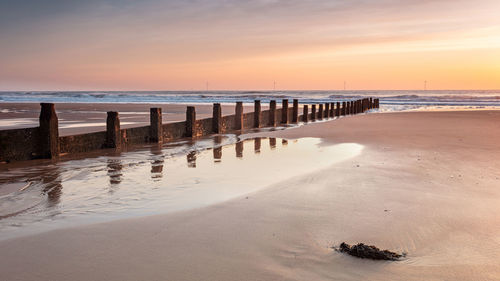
pixel 176 176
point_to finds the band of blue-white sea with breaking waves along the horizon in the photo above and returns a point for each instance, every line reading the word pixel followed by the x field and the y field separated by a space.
pixel 390 100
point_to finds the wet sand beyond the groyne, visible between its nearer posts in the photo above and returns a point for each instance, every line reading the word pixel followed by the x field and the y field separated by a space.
pixel 77 118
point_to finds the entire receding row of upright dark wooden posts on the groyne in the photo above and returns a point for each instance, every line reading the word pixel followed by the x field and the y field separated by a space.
pixel 49 132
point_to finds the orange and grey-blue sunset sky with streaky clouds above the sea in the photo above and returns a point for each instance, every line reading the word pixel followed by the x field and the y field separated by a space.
pixel 249 45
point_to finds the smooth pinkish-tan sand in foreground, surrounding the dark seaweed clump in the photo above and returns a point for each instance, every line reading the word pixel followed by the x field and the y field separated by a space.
pixel 426 183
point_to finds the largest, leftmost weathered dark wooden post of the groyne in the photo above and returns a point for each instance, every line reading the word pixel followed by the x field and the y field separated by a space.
pixel 49 131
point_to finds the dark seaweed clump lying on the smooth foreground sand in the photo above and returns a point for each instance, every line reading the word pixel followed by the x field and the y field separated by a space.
pixel 369 252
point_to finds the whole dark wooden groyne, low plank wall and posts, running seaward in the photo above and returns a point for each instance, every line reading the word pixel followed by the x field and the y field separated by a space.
pixel 44 141
